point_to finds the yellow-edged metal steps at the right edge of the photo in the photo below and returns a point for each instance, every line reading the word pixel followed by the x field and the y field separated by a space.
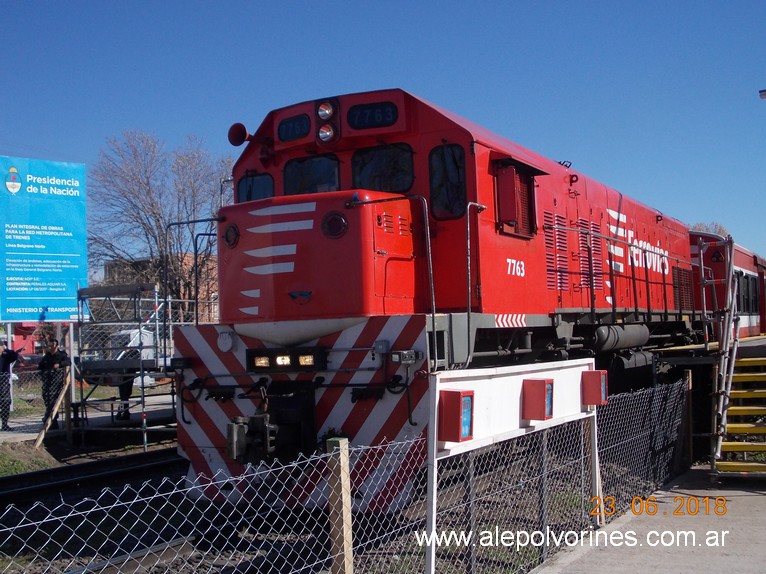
pixel 743 451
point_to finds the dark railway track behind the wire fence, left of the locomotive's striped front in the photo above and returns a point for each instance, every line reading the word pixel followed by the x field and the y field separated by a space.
pixel 68 481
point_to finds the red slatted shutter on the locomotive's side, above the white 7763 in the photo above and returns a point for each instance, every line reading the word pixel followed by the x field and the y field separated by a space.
pixel 515 187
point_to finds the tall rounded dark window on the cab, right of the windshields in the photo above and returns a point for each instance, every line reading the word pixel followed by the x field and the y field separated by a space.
pixel 447 178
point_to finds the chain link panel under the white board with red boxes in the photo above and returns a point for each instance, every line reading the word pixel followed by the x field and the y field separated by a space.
pixel 499 503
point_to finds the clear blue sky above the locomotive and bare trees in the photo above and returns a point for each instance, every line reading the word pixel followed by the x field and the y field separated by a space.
pixel 657 98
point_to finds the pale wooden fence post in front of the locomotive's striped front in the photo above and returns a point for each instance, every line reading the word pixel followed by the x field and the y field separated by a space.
pixel 339 482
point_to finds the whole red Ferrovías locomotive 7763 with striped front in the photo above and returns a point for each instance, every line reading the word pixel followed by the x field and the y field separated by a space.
pixel 375 237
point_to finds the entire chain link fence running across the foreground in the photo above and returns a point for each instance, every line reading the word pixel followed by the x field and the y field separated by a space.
pixel 297 517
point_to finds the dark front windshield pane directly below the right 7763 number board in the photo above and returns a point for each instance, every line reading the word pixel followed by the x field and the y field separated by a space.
pixel 383 168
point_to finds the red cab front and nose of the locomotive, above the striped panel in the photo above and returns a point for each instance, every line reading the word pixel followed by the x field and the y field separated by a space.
pixel 346 200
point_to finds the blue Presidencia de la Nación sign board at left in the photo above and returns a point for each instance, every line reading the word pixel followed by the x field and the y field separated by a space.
pixel 43 253
